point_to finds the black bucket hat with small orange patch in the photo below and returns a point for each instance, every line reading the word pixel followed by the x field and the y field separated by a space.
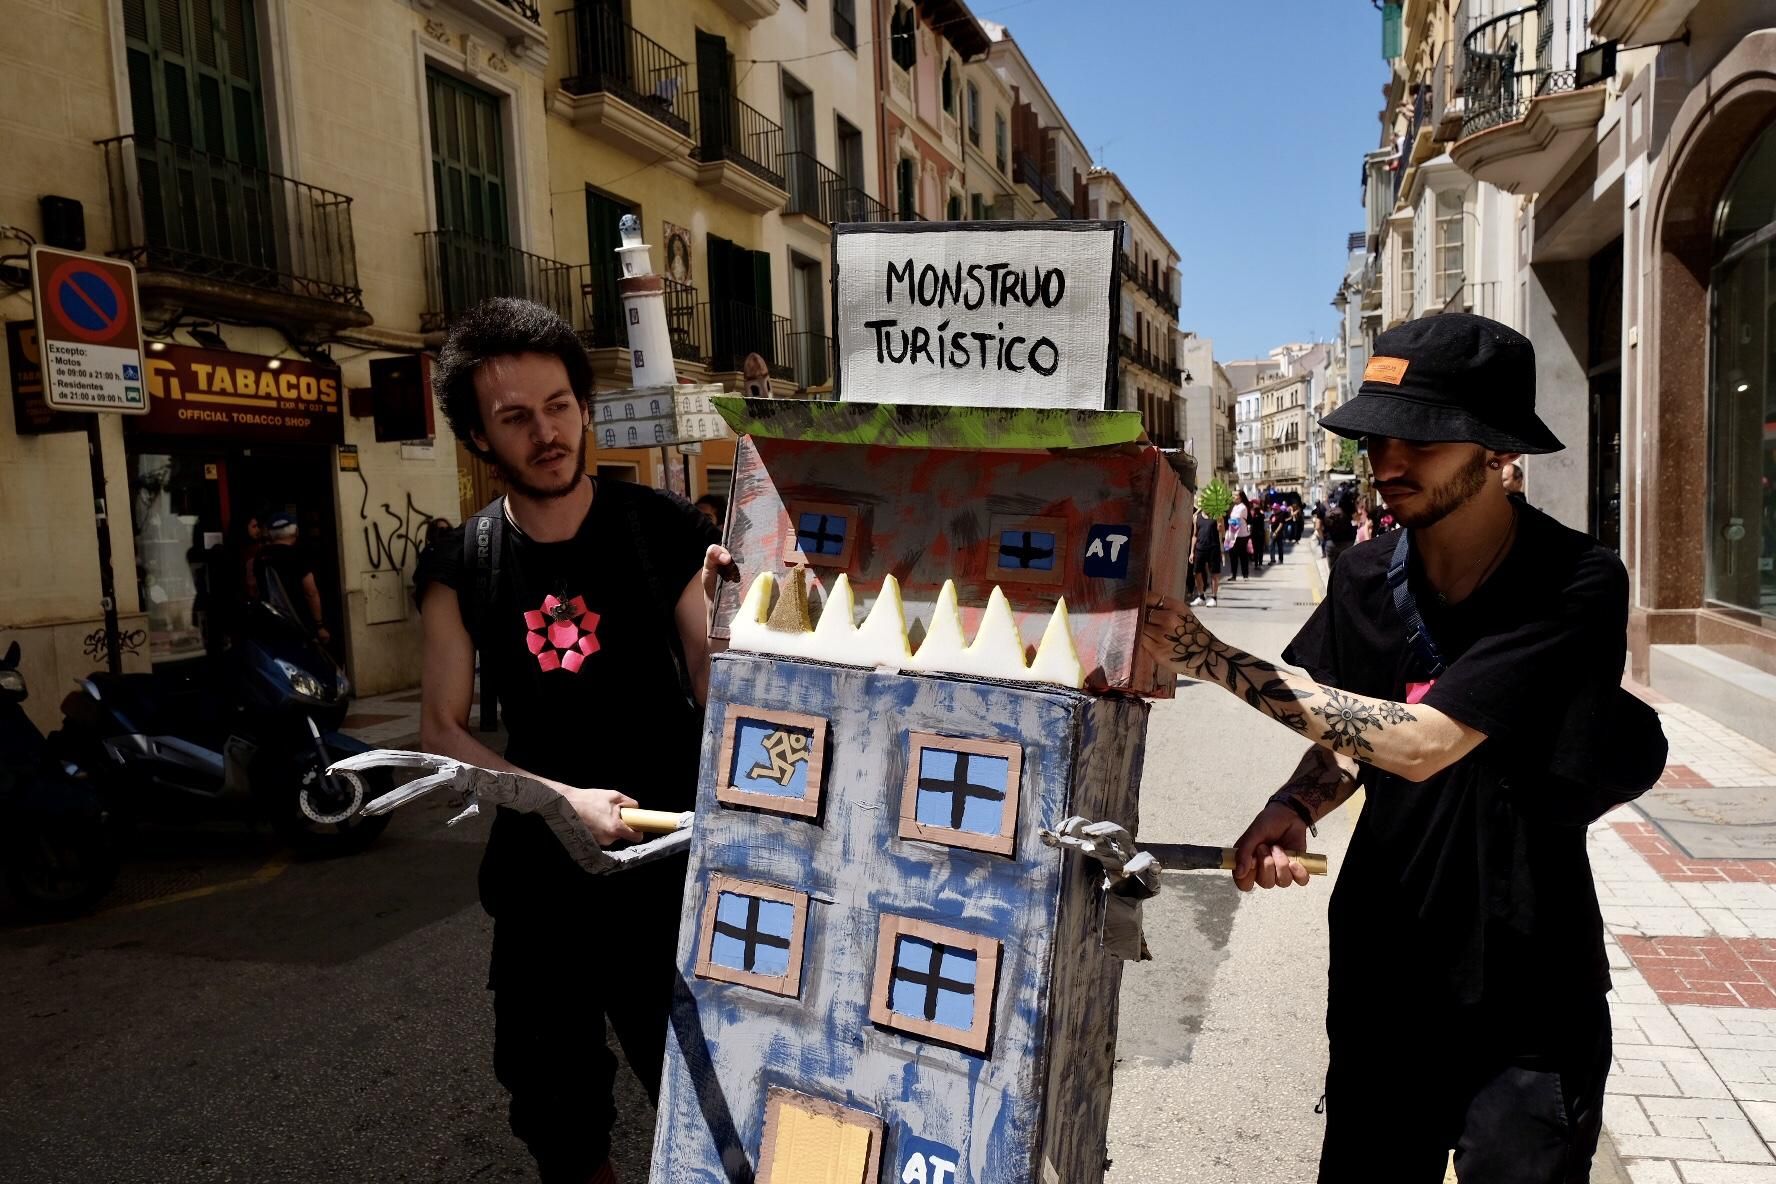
pixel 1450 379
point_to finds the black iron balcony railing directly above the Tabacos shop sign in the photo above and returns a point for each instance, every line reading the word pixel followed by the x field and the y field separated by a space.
pixel 177 209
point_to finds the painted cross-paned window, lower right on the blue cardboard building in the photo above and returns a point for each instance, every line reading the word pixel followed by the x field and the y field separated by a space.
pixel 935 983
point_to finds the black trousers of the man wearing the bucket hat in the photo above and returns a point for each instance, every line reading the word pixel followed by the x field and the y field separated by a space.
pixel 1404 1093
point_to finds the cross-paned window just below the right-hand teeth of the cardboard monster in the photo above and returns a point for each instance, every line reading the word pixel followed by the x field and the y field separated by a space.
pixel 962 793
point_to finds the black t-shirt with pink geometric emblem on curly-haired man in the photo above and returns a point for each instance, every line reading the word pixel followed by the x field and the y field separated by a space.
pixel 580 643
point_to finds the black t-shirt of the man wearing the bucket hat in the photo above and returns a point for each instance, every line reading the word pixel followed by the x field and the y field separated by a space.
pixel 1471 890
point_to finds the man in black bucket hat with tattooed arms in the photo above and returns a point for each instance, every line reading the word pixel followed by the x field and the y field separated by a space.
pixel 1466 672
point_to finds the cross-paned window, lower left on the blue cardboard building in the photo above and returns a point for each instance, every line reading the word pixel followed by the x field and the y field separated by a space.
pixel 752 936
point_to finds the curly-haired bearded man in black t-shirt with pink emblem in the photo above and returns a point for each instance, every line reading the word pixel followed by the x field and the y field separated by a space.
pixel 596 645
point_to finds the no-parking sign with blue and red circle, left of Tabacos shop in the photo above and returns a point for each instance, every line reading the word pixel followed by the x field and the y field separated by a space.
pixel 88 333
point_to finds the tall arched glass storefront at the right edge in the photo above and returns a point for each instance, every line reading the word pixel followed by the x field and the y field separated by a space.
pixel 1741 532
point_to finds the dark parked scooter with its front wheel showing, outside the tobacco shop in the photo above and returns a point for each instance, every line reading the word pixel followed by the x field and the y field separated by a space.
pixel 248 738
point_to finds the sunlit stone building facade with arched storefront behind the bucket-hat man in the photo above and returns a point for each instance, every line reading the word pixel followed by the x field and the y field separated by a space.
pixel 1594 173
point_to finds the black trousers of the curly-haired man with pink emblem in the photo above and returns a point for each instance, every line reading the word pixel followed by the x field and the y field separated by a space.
pixel 555 986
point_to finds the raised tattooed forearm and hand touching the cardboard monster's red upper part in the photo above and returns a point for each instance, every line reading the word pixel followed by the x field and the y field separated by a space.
pixel 1411 741
